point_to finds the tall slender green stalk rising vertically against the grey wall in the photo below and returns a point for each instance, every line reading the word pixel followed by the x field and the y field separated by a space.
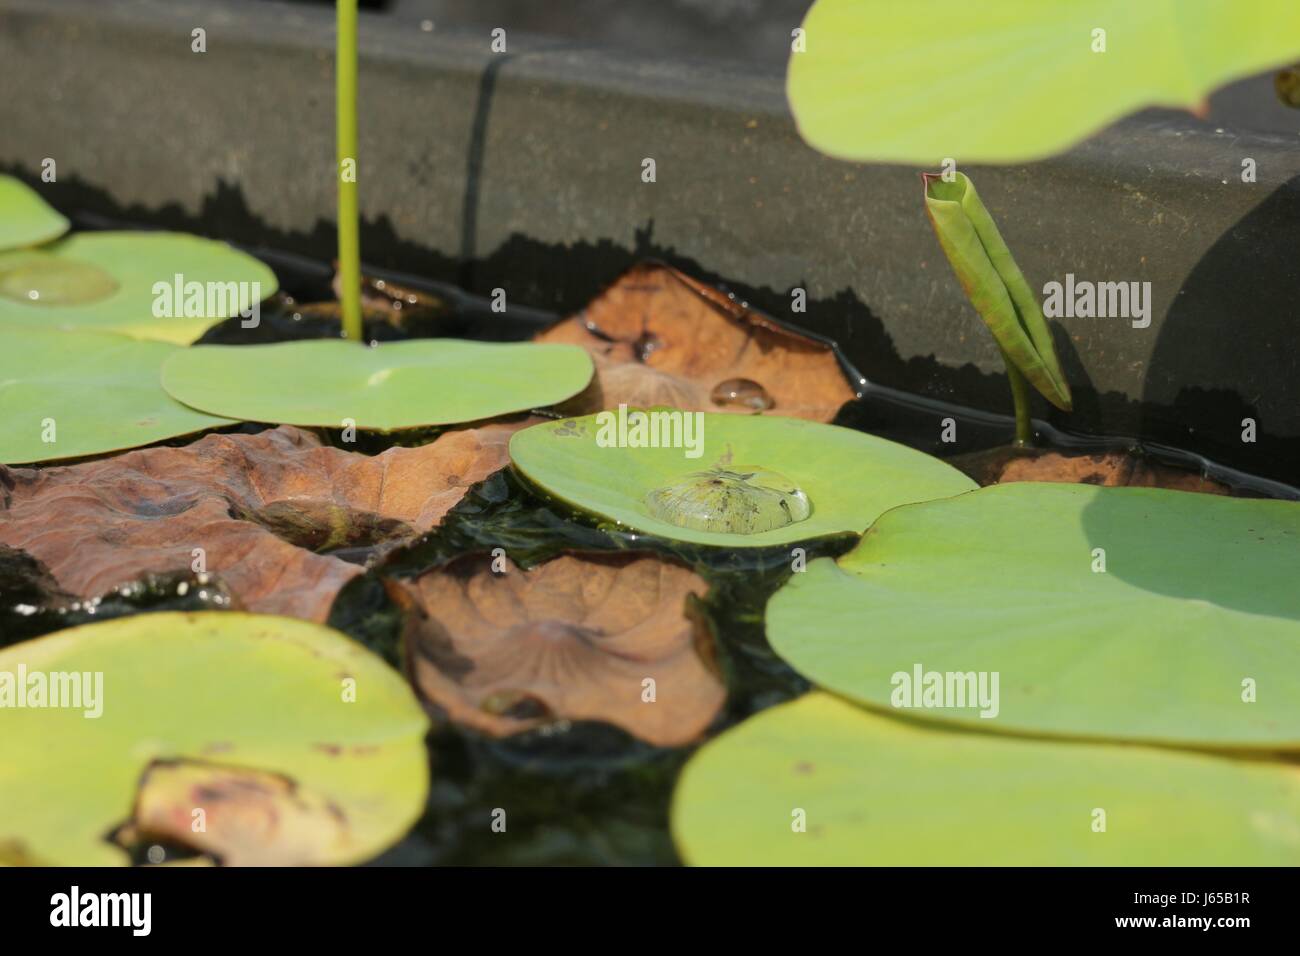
pixel 349 217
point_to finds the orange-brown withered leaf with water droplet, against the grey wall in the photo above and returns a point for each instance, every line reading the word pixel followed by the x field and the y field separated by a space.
pixel 660 338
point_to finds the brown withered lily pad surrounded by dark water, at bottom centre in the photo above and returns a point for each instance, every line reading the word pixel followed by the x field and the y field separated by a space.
pixel 592 638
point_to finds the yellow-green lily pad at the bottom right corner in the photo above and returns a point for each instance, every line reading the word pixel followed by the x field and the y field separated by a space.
pixel 881 791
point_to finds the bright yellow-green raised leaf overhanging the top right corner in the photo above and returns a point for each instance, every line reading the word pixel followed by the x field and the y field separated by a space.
pixel 1015 80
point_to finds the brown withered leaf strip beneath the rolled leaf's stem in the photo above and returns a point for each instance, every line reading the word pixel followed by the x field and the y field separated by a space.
pixel 1110 469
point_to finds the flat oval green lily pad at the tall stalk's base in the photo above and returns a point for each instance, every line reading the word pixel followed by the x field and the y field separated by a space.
pixel 323 383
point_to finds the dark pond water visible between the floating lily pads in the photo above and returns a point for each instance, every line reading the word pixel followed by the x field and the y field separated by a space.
pixel 574 793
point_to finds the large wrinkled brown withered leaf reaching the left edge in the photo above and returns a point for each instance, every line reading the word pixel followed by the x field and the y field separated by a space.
pixel 267 513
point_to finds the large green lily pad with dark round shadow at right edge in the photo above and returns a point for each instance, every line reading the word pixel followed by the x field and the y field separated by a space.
pixel 1190 635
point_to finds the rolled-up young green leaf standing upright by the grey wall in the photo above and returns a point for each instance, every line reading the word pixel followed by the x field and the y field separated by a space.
pixel 995 284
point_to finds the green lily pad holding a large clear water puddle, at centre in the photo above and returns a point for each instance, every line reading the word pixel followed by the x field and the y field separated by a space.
pixel 753 482
